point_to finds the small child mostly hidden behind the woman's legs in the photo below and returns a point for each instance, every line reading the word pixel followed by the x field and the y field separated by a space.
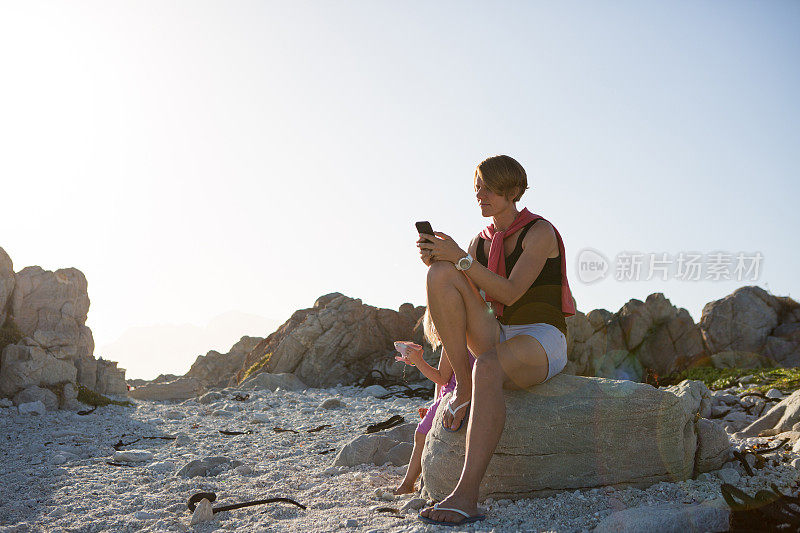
pixel 445 382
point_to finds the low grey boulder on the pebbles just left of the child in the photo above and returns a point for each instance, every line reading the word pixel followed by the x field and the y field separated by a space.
pixel 391 446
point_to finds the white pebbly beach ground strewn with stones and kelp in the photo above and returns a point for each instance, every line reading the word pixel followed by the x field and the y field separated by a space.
pixel 54 474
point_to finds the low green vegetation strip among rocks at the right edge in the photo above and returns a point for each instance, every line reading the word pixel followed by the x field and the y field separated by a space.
pixel 763 379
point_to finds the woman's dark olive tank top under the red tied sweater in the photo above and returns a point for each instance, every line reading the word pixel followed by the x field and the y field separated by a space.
pixel 542 301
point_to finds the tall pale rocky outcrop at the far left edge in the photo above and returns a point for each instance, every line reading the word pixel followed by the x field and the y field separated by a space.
pixel 52 345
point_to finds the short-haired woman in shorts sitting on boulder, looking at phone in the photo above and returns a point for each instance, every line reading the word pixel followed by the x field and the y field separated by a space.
pixel 518 263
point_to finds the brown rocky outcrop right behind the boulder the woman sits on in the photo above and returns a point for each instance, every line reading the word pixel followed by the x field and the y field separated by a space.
pixel 652 334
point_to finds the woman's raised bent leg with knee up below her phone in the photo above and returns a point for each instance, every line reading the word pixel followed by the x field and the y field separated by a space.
pixel 458 312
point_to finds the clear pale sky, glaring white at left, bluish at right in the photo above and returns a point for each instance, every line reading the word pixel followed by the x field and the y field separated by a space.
pixel 197 159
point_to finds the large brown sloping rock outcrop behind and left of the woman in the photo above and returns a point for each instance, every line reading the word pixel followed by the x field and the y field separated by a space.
pixel 339 340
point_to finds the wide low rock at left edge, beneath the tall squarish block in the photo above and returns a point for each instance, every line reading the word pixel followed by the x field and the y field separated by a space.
pixel 23 365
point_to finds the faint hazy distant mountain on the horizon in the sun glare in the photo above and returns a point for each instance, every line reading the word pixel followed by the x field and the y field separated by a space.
pixel 147 351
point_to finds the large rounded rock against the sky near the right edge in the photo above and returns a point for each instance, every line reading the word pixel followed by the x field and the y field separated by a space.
pixel 740 321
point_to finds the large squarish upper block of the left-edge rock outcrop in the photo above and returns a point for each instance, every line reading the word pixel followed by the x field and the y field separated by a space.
pixel 51 307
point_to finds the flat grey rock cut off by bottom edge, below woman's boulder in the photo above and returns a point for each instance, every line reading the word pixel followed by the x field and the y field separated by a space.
pixel 713 516
